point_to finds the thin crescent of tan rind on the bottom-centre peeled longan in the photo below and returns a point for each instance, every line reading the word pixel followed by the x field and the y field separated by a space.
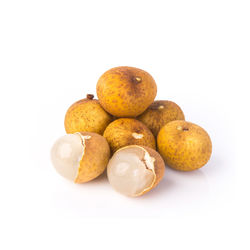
pixel 159 167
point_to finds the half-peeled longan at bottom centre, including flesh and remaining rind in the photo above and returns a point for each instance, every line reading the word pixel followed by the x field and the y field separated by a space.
pixel 134 170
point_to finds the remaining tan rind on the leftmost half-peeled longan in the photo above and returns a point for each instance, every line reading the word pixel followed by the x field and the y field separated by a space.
pixel 95 158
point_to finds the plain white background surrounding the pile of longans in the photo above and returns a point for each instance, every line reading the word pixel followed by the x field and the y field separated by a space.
pixel 52 54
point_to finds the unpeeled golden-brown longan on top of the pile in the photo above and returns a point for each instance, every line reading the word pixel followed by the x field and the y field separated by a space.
pixel 126 91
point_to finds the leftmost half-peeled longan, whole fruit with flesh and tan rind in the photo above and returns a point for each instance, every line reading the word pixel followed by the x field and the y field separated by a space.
pixel 80 157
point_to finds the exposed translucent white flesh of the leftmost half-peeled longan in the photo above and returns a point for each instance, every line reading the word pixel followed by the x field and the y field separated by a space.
pixel 66 155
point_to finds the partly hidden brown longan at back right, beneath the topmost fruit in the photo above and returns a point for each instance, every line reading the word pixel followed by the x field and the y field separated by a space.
pixel 159 113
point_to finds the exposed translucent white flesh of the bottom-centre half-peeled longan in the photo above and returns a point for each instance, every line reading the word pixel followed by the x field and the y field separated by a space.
pixel 128 172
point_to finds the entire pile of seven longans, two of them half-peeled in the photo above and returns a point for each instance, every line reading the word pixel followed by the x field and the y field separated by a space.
pixel 122 130
